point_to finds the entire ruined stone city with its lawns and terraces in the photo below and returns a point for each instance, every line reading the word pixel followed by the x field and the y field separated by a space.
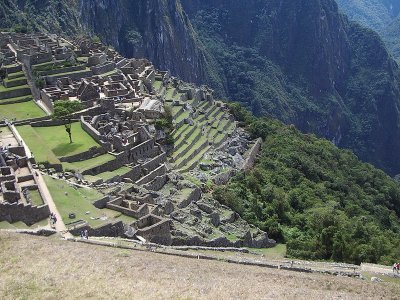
pixel 147 146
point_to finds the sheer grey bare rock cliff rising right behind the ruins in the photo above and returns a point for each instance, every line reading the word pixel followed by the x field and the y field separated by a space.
pixel 156 29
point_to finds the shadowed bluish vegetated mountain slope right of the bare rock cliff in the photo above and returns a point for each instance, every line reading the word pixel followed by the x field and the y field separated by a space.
pixel 302 62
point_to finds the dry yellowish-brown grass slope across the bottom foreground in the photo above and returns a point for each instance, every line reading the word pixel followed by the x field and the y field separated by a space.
pixel 49 268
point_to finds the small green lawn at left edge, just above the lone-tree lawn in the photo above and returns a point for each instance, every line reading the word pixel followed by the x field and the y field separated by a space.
pixel 21 111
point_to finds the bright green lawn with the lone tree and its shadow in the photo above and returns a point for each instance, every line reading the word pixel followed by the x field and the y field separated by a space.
pixel 48 143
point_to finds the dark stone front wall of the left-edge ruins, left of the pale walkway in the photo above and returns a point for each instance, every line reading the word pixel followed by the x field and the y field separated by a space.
pixel 25 213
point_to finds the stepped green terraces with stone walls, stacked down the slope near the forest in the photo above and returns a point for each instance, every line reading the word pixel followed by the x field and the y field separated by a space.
pixel 201 124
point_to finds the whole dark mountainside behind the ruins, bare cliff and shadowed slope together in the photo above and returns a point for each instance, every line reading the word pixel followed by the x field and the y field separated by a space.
pixel 300 61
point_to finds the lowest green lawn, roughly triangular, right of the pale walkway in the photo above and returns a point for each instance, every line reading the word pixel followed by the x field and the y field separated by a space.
pixel 69 199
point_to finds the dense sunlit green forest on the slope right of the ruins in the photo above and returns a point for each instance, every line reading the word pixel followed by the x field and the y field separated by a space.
pixel 320 200
